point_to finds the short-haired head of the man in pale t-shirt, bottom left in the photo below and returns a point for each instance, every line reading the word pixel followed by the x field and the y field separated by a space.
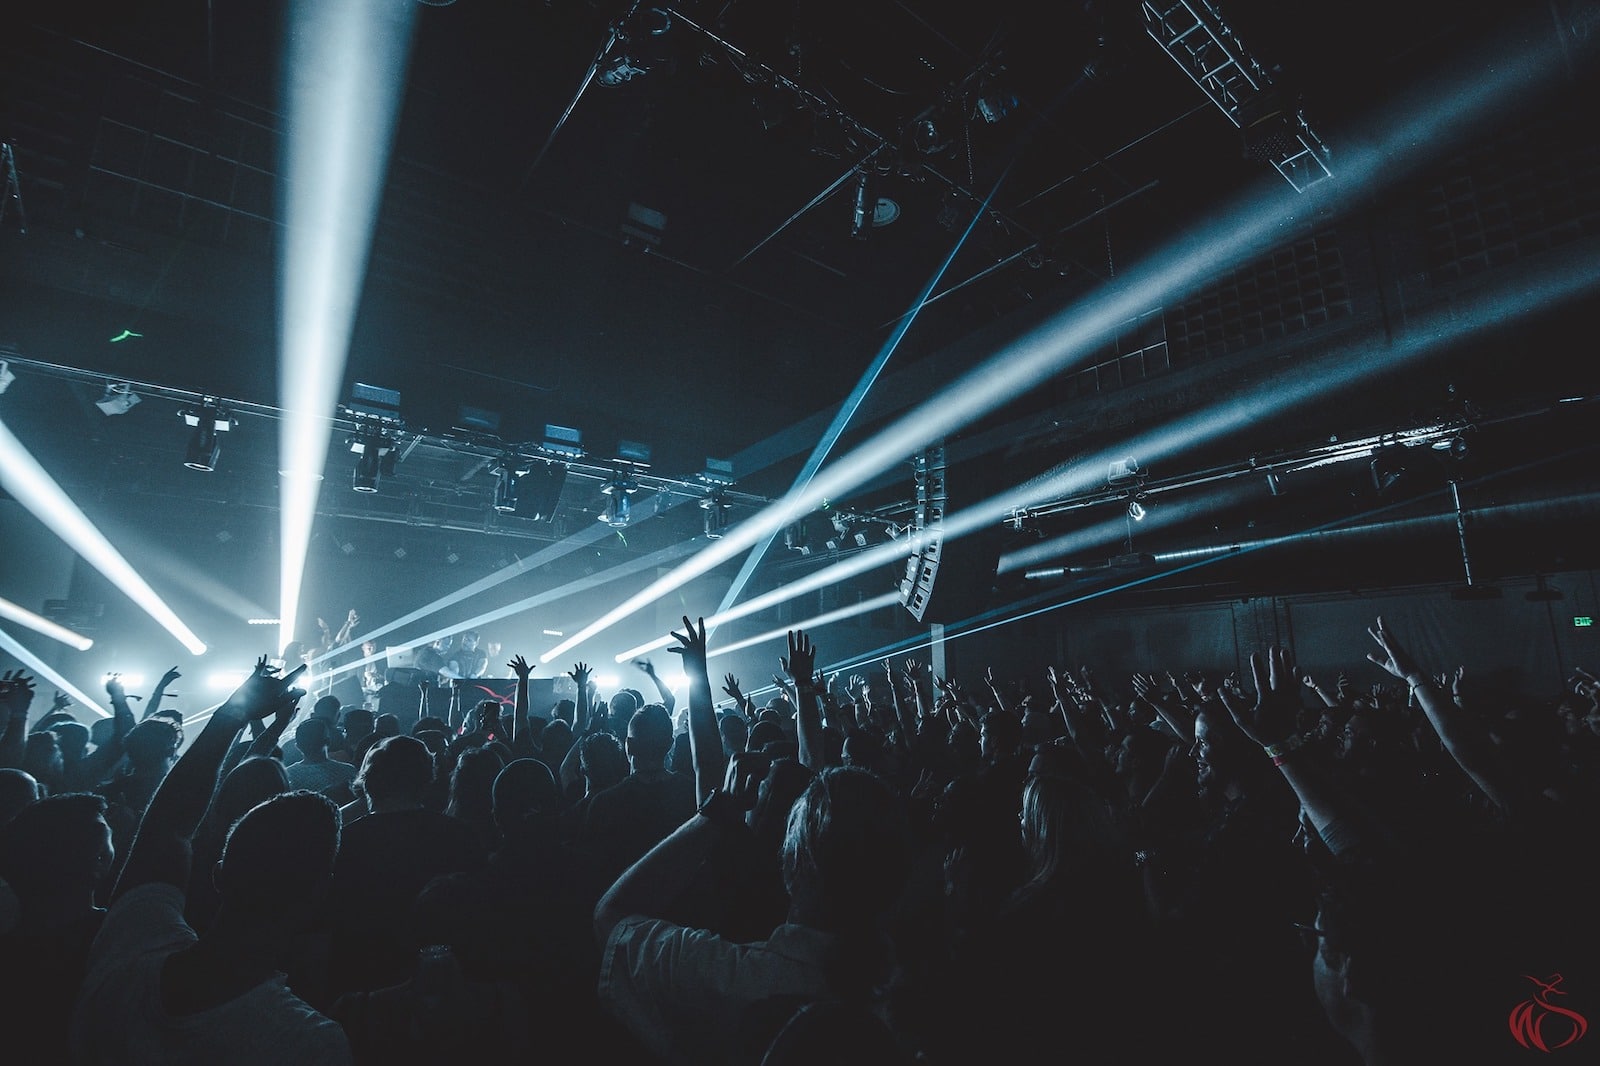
pixel 278 864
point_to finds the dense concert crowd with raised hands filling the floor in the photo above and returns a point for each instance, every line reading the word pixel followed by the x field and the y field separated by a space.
pixel 882 868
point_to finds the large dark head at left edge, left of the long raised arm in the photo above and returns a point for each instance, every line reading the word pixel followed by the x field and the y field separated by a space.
pixel 57 848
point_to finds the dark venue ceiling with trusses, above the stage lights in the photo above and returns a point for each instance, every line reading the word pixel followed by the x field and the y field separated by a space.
pixel 506 271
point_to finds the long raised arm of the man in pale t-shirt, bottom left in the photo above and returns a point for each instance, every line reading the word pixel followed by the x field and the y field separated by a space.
pixel 161 849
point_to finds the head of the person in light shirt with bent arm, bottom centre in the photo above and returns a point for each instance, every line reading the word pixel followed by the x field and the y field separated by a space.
pixel 847 851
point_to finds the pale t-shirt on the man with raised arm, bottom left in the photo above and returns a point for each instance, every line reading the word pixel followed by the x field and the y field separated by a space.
pixel 119 1017
